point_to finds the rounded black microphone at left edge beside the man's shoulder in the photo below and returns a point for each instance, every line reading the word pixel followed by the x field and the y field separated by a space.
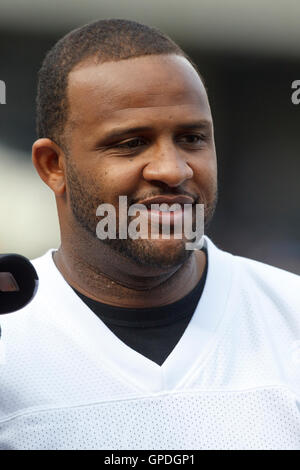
pixel 18 282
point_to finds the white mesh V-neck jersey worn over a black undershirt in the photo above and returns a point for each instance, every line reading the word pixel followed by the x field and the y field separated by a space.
pixel 231 382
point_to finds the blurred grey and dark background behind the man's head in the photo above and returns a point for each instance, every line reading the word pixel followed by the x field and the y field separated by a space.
pixel 249 55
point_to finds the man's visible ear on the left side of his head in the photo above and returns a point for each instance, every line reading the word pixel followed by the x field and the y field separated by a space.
pixel 48 159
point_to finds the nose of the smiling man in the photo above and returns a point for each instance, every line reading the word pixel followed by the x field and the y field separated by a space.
pixel 168 165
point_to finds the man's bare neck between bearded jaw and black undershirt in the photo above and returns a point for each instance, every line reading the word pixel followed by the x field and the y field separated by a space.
pixel 122 282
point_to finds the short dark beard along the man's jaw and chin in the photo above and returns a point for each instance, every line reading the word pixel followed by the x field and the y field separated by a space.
pixel 83 193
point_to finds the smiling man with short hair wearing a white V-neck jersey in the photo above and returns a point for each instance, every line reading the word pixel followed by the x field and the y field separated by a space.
pixel 140 343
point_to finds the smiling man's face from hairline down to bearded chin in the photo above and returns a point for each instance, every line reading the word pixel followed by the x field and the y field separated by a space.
pixel 139 128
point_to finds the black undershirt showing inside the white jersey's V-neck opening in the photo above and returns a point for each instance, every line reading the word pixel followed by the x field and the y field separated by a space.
pixel 154 331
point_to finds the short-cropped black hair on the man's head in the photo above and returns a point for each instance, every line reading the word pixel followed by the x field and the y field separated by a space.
pixel 108 40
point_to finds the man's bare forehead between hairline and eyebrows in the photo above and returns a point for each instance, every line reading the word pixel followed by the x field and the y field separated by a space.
pixel 144 86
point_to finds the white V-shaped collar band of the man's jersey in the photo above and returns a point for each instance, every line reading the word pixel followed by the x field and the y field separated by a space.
pixel 73 316
